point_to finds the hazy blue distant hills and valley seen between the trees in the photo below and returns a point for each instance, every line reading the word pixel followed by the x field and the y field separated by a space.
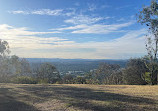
pixel 65 65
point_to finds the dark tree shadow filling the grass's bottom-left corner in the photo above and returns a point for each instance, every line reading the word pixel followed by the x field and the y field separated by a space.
pixel 9 103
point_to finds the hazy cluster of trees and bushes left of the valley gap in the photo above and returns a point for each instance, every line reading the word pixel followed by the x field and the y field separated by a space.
pixel 18 70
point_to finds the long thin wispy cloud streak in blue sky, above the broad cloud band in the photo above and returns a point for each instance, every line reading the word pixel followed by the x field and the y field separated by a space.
pixel 96 28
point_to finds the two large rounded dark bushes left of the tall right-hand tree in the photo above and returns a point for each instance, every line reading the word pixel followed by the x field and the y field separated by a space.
pixel 113 74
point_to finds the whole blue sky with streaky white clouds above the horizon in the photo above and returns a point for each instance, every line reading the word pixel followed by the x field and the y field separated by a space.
pixel 73 29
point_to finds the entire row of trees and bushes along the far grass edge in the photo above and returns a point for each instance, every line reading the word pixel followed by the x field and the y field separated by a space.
pixel 18 70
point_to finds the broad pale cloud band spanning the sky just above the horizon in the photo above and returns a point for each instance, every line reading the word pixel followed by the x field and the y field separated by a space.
pixel 28 44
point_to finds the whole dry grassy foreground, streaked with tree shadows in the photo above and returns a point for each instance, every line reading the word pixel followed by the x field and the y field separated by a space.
pixel 78 97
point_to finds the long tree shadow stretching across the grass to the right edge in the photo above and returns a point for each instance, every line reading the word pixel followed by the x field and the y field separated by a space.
pixel 81 98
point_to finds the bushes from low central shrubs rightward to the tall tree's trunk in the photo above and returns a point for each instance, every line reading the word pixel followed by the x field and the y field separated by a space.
pixel 135 73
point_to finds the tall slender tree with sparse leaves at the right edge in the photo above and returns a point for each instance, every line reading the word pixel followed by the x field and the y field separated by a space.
pixel 149 16
